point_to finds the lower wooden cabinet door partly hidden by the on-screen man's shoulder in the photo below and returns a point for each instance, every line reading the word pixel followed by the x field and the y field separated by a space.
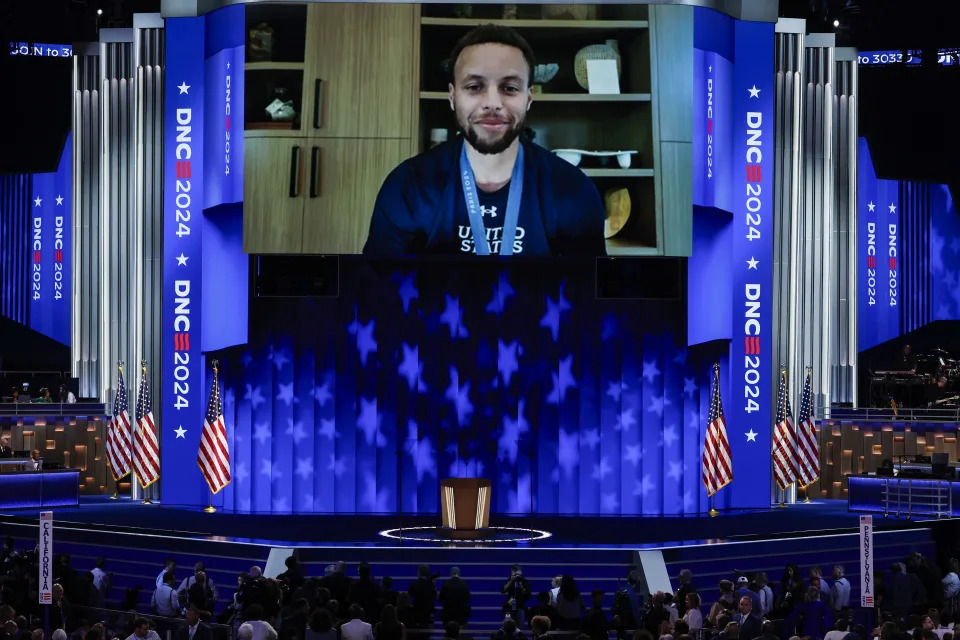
pixel 347 178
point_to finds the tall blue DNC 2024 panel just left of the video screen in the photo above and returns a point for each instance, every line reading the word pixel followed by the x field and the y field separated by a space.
pixel 205 271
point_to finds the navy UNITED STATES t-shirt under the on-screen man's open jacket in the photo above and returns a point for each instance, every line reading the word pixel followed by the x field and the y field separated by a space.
pixel 530 238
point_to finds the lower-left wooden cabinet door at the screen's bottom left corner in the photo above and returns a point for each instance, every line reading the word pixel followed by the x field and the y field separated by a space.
pixel 273 189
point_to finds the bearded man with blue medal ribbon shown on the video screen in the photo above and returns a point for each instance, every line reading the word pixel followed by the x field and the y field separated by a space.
pixel 491 182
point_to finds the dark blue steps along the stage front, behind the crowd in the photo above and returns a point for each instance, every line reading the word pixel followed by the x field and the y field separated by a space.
pixel 136 558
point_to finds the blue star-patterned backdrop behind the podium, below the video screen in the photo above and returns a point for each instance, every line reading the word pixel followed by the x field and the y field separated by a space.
pixel 569 404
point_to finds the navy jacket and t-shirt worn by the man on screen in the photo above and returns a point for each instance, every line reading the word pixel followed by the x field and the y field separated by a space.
pixel 421 208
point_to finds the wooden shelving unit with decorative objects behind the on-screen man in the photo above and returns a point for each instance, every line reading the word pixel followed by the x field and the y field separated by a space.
pixel 566 115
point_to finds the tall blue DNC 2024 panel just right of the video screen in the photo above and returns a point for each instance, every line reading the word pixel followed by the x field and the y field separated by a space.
pixel 731 267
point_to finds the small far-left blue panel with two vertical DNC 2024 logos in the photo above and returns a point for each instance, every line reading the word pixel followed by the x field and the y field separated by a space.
pixel 51 249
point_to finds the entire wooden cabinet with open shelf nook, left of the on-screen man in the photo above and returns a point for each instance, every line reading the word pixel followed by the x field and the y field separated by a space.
pixel 351 73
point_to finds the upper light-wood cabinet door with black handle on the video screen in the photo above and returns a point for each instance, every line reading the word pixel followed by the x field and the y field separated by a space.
pixel 361 70
